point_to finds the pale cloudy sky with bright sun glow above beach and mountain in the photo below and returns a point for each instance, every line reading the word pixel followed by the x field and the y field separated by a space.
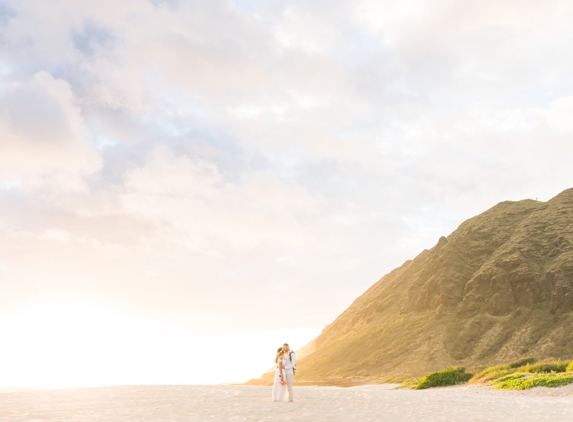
pixel 186 185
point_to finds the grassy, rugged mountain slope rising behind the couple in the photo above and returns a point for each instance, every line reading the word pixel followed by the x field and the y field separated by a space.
pixel 498 288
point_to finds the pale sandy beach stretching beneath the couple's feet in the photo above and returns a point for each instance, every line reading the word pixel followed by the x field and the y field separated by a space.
pixel 242 403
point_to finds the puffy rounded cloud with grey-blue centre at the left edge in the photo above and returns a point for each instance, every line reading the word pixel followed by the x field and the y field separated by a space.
pixel 43 140
